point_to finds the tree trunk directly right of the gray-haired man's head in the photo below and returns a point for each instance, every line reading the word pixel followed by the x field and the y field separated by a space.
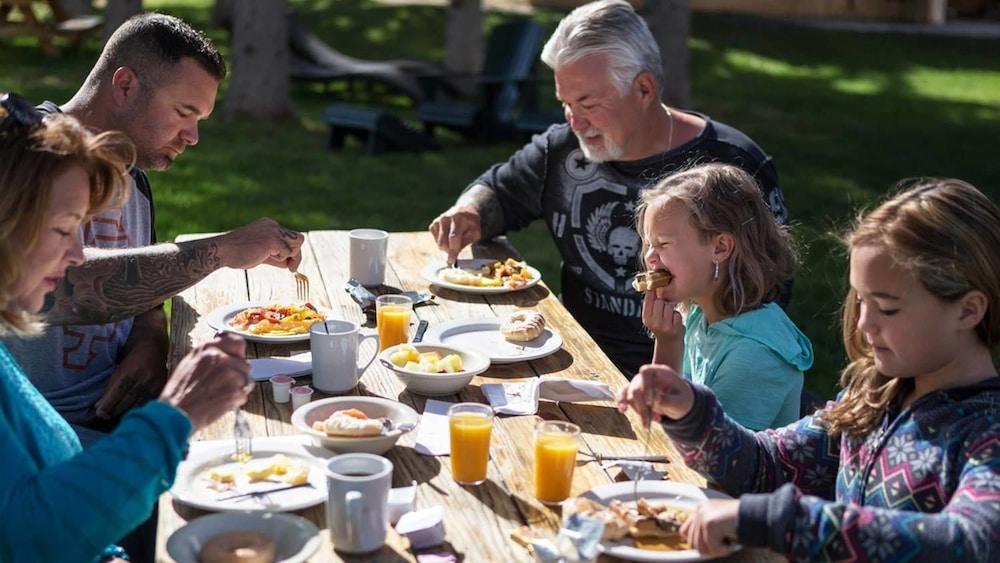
pixel 670 22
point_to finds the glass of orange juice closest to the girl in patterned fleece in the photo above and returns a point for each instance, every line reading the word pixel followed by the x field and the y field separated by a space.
pixel 556 443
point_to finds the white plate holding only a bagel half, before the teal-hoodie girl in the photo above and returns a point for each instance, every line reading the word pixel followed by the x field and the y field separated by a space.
pixel 518 337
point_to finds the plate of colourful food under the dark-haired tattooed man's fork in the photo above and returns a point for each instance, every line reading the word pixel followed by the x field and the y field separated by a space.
pixel 267 322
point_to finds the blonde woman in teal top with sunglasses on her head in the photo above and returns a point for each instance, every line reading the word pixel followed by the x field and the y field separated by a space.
pixel 61 503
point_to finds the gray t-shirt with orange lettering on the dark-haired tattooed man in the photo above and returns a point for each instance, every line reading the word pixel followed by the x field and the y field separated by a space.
pixel 71 365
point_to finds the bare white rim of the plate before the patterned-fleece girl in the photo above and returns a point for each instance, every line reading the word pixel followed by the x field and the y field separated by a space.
pixel 679 494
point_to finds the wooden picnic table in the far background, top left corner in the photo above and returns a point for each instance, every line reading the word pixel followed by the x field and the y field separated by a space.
pixel 27 18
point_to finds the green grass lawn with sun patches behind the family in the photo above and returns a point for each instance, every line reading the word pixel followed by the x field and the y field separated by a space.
pixel 844 115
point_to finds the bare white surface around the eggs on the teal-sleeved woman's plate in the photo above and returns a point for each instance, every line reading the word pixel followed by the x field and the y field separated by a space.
pixel 191 486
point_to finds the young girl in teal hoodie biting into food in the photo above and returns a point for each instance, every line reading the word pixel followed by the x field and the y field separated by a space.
pixel 716 321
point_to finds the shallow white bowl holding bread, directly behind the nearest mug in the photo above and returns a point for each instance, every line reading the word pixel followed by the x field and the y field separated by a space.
pixel 355 424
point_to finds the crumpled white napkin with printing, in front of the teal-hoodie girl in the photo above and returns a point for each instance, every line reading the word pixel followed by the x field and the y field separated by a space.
pixel 522 398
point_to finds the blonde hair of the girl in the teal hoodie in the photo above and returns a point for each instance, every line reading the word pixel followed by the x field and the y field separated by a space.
pixel 726 199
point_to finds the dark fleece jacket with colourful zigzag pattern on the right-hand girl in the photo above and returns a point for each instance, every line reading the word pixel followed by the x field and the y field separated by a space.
pixel 924 486
